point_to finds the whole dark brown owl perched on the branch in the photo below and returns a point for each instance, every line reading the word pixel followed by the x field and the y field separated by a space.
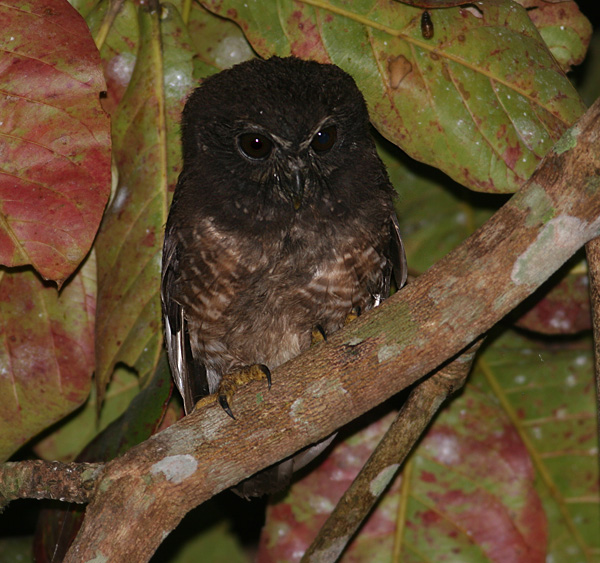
pixel 281 223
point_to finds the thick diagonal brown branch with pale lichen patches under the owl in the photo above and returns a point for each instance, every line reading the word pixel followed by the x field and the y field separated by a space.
pixel 151 487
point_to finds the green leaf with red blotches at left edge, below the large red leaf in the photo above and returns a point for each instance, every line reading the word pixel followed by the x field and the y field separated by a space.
pixel 46 352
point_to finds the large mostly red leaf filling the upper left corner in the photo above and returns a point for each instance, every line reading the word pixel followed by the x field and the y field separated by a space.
pixel 54 138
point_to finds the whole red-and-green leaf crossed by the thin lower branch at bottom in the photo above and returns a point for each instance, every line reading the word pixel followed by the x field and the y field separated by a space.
pixel 471 496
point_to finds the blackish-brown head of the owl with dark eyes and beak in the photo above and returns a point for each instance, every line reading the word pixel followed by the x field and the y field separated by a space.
pixel 289 129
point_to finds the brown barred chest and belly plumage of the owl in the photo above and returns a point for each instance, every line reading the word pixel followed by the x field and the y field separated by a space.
pixel 257 301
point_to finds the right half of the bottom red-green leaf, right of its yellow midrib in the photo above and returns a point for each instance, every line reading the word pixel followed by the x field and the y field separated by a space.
pixel 472 488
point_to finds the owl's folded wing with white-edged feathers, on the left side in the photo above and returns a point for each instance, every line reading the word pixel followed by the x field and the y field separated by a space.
pixel 189 375
